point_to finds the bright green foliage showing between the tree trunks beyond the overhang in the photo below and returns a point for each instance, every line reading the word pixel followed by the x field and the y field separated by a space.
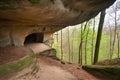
pixel 75 38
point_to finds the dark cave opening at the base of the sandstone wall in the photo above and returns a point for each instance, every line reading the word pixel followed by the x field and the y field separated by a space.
pixel 34 38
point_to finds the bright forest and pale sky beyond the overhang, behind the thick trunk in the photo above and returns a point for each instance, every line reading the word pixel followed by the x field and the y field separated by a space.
pixel 76 44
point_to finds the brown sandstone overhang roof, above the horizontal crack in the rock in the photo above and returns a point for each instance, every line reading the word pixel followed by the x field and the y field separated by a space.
pixel 50 12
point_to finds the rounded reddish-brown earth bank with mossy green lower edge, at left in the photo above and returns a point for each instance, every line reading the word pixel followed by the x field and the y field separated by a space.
pixel 14 59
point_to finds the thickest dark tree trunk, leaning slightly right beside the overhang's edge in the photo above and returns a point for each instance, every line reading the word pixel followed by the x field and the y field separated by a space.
pixel 100 27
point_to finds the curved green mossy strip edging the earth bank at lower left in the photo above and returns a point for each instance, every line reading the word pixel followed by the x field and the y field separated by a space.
pixel 17 65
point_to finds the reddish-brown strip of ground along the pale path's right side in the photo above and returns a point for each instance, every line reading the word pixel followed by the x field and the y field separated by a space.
pixel 74 69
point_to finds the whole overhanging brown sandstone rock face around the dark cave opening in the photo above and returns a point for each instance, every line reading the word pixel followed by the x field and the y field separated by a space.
pixel 19 18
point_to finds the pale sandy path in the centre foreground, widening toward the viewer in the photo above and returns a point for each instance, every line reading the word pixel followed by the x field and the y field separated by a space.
pixel 42 71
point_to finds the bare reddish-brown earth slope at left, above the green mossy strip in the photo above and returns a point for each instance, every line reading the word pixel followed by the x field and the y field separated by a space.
pixel 9 54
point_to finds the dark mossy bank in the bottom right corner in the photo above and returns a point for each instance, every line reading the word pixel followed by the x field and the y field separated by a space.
pixel 107 71
